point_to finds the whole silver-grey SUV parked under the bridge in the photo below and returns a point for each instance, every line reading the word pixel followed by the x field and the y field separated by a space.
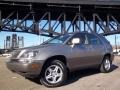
pixel 52 60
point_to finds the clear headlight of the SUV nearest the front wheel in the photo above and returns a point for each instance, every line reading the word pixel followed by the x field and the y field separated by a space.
pixel 27 56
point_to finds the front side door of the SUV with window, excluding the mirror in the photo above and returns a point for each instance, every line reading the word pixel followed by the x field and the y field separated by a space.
pixel 79 52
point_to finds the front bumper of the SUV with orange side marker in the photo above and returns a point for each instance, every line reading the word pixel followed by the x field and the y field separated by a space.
pixel 30 70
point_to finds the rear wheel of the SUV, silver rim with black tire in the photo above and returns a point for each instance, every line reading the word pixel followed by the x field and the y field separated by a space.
pixel 106 65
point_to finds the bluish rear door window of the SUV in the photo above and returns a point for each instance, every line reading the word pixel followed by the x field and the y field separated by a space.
pixel 94 40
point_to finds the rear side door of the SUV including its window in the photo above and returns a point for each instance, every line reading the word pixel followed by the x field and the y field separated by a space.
pixel 95 49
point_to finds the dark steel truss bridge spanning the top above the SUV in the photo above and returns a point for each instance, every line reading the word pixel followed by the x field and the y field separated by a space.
pixel 55 17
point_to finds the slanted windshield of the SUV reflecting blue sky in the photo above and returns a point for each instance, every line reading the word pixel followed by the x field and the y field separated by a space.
pixel 58 39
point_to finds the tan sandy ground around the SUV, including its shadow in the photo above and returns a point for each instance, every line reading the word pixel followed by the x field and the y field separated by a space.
pixel 80 80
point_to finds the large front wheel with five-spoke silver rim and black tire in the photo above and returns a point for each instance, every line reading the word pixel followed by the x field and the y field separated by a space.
pixel 54 75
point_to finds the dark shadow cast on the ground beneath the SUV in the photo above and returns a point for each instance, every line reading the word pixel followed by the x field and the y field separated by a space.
pixel 75 76
